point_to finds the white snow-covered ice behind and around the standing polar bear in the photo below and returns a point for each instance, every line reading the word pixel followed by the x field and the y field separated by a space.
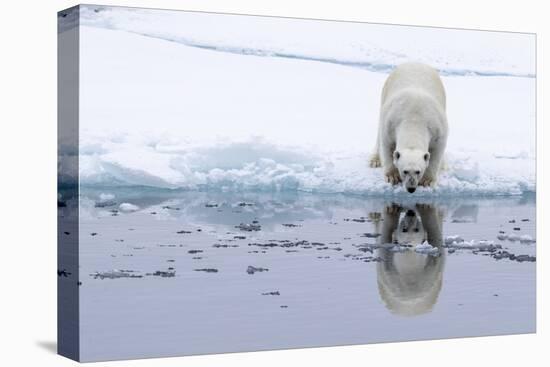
pixel 208 117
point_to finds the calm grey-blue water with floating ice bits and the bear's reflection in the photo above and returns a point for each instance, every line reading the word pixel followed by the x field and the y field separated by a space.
pixel 197 272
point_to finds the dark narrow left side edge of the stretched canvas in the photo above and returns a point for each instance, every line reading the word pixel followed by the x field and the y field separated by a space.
pixel 68 320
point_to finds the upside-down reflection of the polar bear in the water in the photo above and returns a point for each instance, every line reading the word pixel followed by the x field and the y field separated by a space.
pixel 408 282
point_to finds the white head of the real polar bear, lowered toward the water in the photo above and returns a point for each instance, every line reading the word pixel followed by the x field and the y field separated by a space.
pixel 412 164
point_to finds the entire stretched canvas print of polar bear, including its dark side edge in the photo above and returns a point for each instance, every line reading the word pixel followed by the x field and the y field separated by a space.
pixel 235 183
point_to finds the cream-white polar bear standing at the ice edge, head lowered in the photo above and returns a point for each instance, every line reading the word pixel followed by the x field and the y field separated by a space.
pixel 413 129
